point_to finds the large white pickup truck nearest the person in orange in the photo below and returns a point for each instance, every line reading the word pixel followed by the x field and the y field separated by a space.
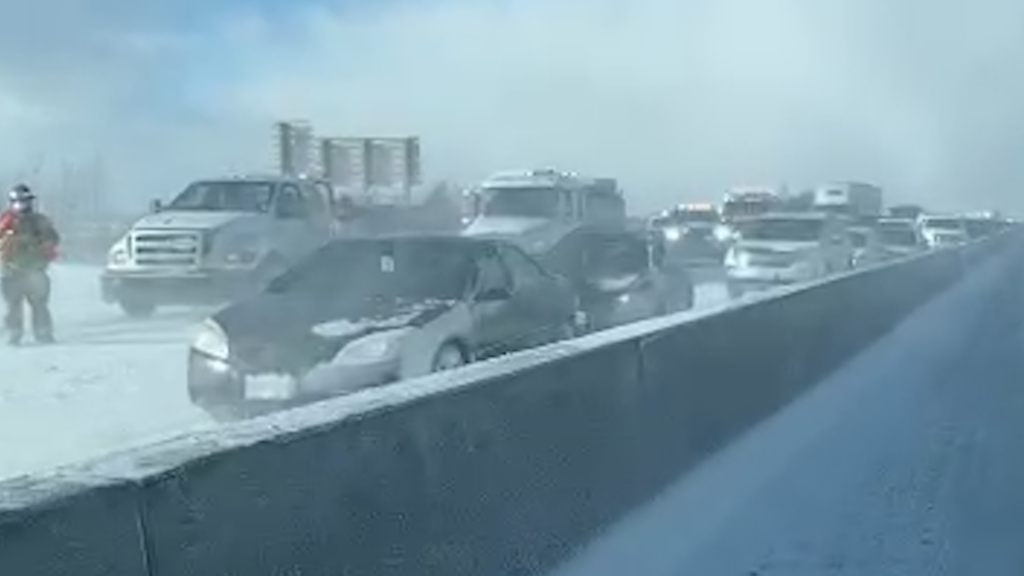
pixel 217 240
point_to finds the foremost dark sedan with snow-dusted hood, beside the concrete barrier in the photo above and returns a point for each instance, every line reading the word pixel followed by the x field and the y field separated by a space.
pixel 361 313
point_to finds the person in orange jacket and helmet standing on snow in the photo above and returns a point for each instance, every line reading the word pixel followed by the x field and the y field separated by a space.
pixel 28 244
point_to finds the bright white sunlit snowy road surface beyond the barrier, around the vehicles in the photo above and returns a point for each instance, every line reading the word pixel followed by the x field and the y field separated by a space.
pixel 110 385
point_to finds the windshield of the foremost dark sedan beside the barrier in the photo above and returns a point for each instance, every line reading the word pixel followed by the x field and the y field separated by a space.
pixel 361 271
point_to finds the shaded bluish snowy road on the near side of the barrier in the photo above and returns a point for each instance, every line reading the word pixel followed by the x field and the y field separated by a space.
pixel 908 462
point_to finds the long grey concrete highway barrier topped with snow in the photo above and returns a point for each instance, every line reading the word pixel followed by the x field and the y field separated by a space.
pixel 503 468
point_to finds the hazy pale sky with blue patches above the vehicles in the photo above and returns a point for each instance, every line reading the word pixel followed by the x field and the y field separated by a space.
pixel 678 99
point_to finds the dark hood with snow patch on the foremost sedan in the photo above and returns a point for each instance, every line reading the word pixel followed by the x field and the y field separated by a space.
pixel 288 334
